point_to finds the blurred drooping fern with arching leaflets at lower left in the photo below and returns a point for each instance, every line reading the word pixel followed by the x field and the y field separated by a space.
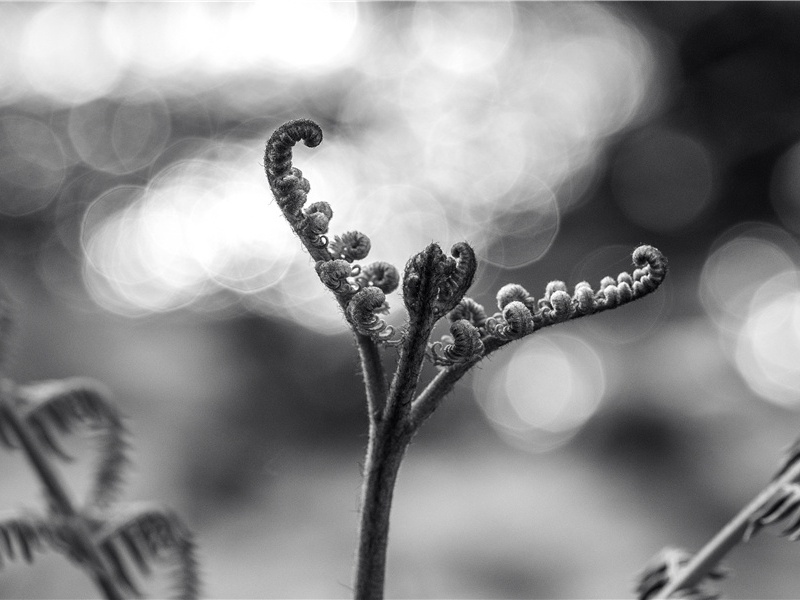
pixel 97 535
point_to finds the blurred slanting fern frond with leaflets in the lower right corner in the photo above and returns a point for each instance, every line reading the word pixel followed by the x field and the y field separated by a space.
pixel 676 573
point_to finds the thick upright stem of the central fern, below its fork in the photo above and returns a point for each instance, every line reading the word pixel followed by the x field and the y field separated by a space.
pixel 384 455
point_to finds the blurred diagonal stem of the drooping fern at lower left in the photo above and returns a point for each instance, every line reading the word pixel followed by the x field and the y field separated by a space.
pixel 60 501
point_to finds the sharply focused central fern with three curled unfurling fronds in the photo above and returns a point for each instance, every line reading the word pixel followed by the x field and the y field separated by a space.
pixel 434 285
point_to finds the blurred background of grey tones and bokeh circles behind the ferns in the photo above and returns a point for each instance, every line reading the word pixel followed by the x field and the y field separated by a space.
pixel 140 246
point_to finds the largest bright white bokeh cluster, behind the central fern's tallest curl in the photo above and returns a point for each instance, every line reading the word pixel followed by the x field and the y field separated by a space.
pixel 453 122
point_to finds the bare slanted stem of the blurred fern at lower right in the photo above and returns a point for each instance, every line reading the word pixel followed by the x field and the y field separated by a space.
pixel 729 536
